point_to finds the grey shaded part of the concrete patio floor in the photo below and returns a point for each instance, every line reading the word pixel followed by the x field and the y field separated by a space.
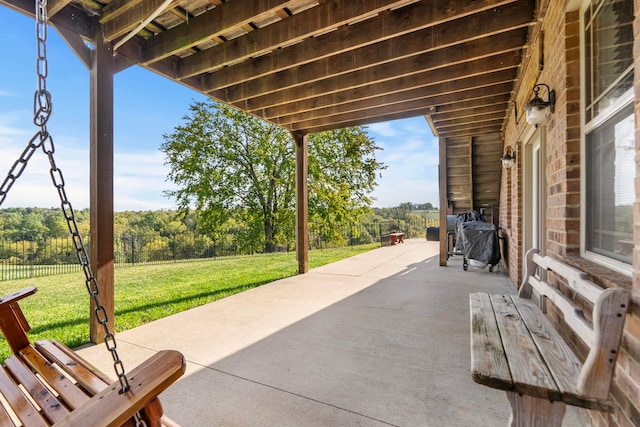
pixel 395 353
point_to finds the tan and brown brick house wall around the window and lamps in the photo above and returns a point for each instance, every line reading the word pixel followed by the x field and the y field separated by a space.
pixel 559 67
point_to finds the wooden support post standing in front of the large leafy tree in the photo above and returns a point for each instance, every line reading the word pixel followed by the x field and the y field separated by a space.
pixel 302 199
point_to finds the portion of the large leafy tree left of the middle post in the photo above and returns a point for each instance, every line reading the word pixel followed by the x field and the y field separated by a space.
pixel 223 159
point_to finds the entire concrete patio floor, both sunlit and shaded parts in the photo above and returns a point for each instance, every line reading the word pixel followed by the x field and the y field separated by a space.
pixel 378 339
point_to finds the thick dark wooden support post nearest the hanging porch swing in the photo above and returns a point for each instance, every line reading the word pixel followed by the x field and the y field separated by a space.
pixel 101 182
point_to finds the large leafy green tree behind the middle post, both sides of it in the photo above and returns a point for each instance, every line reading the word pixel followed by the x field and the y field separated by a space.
pixel 229 165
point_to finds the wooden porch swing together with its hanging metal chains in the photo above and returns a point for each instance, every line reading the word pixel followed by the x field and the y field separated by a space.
pixel 46 383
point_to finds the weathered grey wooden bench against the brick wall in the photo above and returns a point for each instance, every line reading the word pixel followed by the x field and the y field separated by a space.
pixel 515 348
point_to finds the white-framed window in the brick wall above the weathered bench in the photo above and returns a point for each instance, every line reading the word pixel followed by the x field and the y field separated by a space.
pixel 609 144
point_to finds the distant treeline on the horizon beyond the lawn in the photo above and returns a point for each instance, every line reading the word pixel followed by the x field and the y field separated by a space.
pixel 36 241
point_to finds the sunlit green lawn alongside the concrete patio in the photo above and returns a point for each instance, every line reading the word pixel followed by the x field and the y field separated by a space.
pixel 60 308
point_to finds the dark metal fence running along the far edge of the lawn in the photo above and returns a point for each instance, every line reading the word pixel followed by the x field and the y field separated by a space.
pixel 35 258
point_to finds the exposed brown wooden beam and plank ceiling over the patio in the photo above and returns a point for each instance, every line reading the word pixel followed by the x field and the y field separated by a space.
pixel 314 65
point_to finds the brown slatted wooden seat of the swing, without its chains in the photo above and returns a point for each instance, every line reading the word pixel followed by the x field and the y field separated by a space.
pixel 47 383
